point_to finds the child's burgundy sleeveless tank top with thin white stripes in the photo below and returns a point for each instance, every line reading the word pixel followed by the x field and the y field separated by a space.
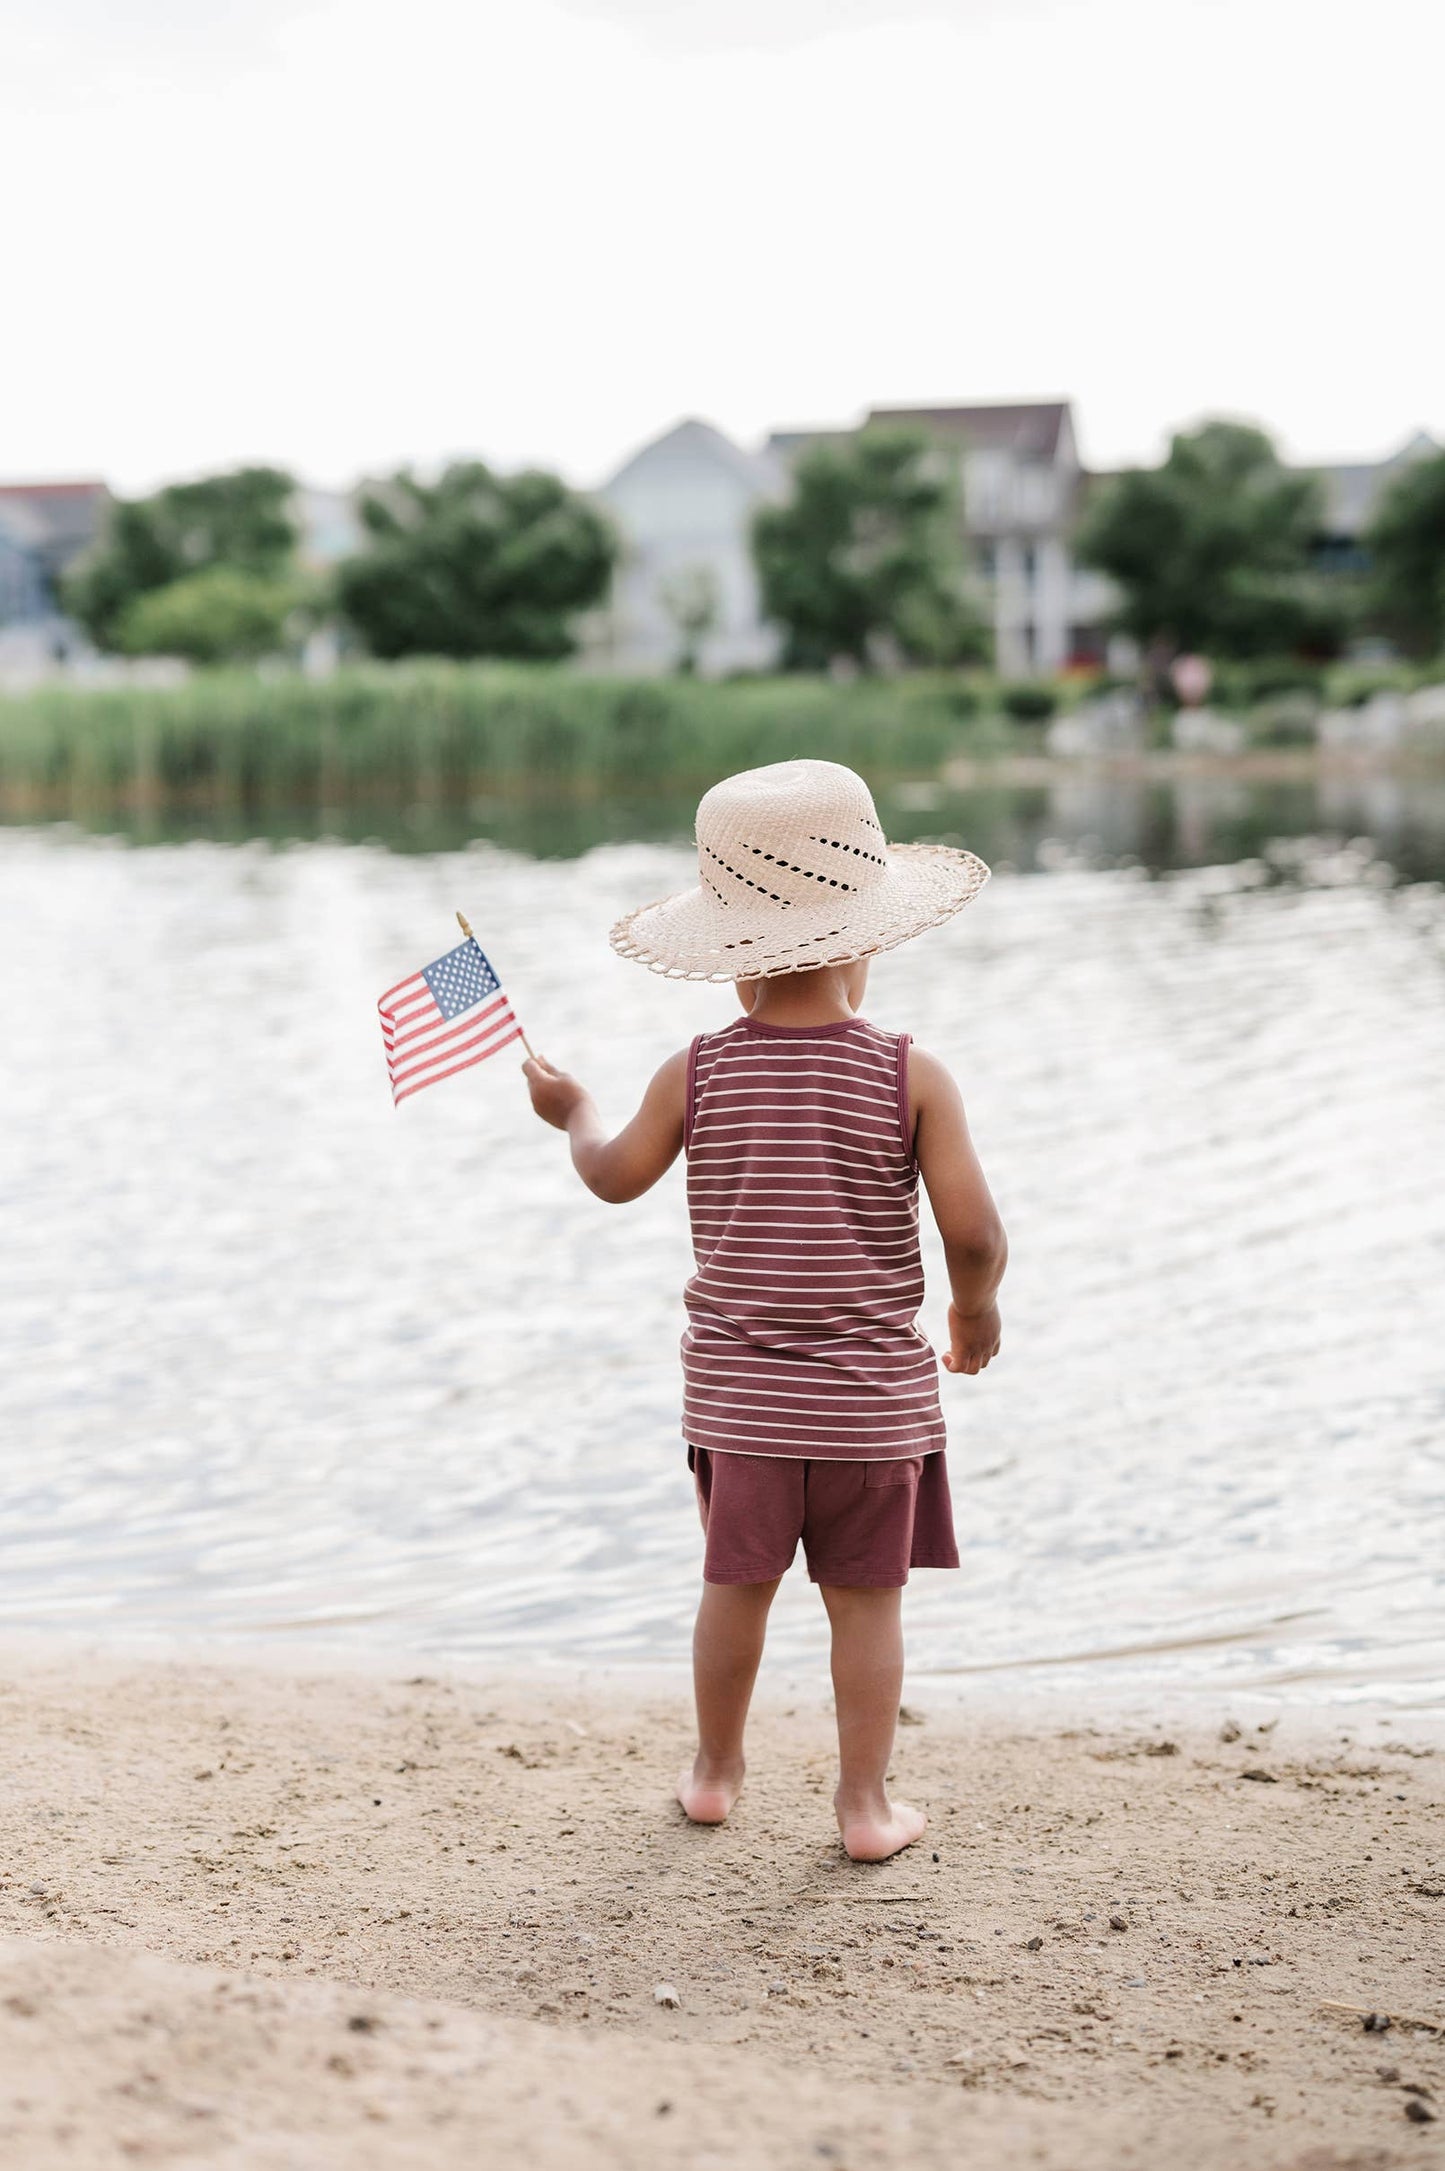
pixel 804 1199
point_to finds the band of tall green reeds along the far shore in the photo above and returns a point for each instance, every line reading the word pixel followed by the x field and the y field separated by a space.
pixel 429 735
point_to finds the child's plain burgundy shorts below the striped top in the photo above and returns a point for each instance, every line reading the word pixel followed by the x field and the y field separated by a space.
pixel 862 1525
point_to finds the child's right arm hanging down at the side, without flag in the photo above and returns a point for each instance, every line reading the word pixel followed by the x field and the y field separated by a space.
pixel 967 1217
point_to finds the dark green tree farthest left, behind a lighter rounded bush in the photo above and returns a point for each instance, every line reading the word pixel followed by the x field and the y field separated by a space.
pixel 240 520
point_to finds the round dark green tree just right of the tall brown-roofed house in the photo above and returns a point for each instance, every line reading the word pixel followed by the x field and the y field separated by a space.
pixel 1212 550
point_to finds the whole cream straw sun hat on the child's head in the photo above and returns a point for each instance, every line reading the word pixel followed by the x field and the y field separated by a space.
pixel 795 872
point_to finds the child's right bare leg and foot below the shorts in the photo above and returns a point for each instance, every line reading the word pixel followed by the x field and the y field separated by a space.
pixel 867 1688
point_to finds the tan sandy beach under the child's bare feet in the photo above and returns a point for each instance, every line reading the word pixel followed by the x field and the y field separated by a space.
pixel 261 1916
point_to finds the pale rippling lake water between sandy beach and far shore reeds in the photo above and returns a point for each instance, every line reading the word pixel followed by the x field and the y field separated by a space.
pixel 281 1360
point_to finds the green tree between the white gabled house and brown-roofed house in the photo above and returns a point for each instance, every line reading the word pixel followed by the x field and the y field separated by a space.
pixel 865 557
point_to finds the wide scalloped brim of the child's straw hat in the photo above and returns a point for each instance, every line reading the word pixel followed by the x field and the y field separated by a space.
pixel 695 937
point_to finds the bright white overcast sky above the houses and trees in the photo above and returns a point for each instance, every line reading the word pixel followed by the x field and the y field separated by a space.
pixel 357 233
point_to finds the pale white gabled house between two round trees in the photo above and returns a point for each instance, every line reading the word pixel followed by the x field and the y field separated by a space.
pixel 687 585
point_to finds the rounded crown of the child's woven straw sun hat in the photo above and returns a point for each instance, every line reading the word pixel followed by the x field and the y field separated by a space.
pixel 795 835
